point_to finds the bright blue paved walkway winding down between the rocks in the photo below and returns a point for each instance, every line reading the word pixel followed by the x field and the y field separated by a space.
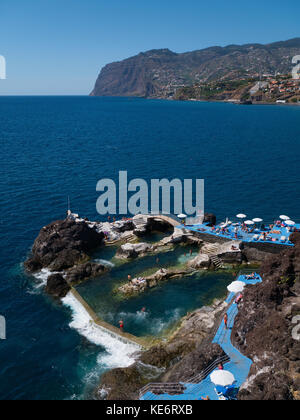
pixel 238 365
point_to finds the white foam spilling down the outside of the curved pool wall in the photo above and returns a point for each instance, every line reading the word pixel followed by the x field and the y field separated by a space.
pixel 117 353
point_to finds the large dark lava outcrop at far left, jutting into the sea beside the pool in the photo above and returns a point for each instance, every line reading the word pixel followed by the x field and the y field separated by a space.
pixel 63 244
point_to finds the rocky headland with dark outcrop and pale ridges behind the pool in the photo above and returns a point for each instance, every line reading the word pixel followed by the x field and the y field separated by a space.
pixel 65 249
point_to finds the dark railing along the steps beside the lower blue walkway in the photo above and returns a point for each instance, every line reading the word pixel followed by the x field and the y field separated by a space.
pixel 178 388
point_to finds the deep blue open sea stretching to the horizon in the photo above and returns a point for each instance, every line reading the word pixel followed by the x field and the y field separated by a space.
pixel 52 147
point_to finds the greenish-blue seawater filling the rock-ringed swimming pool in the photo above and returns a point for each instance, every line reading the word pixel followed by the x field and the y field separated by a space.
pixel 165 305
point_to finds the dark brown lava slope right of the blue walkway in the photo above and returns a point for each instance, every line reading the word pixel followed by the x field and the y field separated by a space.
pixel 263 329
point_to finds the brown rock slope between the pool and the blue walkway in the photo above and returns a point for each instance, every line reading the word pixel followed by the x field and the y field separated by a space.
pixel 181 356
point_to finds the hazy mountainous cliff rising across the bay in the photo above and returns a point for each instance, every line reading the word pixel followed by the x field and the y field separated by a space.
pixel 159 73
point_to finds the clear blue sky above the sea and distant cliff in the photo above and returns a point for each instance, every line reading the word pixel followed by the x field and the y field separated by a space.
pixel 59 46
